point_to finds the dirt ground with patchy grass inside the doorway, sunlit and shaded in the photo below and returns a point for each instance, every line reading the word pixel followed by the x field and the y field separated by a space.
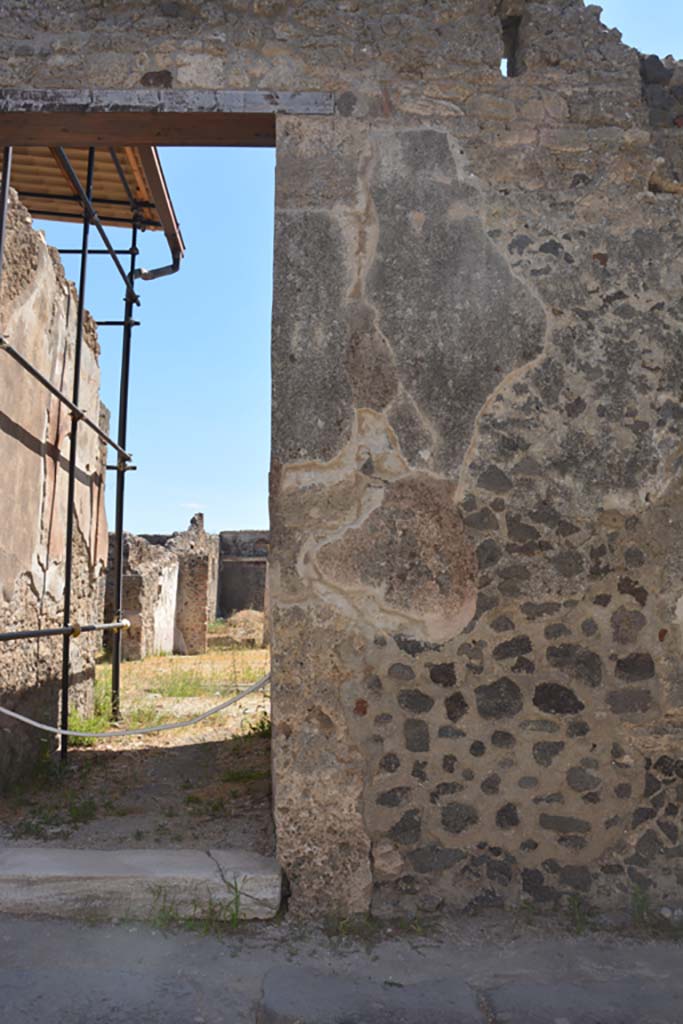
pixel 195 788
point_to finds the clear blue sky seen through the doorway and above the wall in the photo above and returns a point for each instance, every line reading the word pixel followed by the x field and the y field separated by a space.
pixel 200 406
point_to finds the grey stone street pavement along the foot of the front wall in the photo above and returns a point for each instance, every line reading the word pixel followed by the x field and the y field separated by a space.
pixel 483 971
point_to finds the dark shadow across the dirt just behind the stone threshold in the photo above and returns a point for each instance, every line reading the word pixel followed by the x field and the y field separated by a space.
pixel 197 795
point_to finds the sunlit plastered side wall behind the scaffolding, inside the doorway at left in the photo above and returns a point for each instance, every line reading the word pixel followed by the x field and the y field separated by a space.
pixel 38 316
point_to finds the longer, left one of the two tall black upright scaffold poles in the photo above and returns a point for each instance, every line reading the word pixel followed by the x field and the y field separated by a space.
pixel 78 348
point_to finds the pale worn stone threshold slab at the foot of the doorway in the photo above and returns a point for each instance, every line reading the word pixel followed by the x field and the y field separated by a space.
pixel 161 886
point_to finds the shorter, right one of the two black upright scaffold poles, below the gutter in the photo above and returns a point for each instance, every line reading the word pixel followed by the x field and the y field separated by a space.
pixel 121 482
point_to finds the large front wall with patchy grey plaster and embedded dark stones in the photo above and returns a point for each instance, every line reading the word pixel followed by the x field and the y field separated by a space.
pixel 477 497
